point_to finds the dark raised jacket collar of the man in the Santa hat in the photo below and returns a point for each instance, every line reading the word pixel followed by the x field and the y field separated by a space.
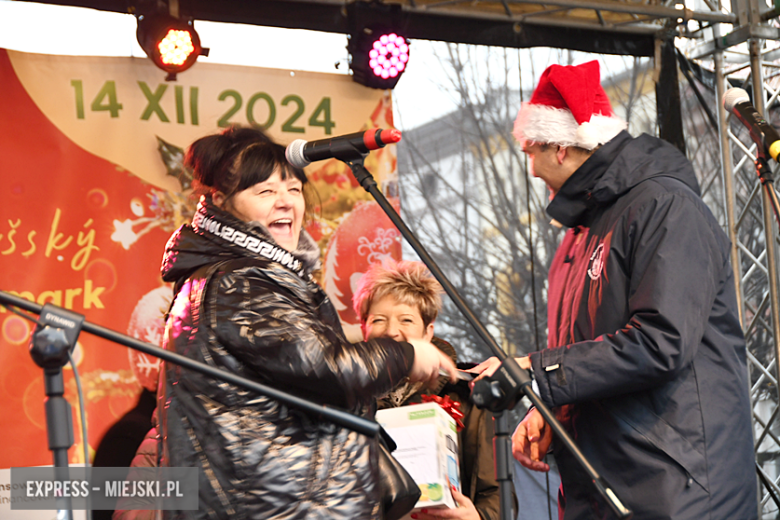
pixel 573 205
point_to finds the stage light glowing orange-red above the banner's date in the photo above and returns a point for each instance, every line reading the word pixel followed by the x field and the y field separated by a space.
pixel 171 43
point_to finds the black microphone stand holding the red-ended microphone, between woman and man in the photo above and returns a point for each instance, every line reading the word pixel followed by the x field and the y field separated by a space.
pixel 508 381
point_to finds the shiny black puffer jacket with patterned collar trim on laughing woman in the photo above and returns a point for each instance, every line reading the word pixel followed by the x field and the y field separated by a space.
pixel 245 305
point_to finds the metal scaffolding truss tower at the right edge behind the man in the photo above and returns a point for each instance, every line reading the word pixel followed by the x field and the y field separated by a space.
pixel 743 55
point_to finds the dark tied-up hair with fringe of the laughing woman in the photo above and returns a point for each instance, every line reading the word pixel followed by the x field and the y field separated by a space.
pixel 237 159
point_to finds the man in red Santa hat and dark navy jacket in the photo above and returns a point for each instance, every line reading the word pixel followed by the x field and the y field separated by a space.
pixel 646 361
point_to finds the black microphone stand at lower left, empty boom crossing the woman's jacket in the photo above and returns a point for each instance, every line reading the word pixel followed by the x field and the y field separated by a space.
pixel 56 336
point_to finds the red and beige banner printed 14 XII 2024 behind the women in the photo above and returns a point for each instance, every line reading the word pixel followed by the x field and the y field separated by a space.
pixel 93 185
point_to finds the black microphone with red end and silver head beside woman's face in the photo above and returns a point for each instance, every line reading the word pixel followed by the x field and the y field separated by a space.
pixel 346 147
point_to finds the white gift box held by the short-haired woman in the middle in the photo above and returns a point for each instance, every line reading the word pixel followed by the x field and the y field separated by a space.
pixel 427 441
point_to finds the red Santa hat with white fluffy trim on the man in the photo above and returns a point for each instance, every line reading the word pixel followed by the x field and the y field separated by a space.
pixel 568 108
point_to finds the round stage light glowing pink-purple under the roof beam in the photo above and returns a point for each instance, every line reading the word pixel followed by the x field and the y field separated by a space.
pixel 378 56
